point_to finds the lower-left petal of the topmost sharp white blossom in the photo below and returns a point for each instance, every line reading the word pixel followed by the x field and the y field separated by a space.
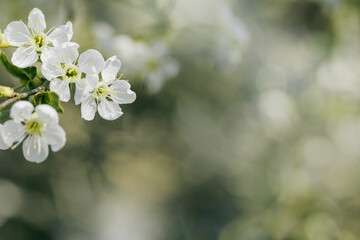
pixel 24 57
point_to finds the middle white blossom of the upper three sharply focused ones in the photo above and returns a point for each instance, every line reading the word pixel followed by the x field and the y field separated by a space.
pixel 63 67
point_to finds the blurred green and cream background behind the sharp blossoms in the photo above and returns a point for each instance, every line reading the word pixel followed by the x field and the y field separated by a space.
pixel 251 133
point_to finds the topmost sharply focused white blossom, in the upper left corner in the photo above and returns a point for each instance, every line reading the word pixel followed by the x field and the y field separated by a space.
pixel 31 39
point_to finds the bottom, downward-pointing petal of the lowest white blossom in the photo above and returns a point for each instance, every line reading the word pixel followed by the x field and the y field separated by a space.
pixel 35 149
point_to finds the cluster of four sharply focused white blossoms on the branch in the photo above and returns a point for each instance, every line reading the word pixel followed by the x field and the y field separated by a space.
pixel 97 87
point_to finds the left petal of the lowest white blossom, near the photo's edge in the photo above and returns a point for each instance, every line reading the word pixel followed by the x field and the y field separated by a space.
pixel 12 132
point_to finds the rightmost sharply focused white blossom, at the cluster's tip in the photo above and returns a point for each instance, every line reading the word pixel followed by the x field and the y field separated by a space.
pixel 108 93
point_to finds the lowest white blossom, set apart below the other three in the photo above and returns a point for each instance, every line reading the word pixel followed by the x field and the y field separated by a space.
pixel 38 129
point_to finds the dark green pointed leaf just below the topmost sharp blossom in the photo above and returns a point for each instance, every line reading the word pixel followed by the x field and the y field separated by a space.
pixel 24 74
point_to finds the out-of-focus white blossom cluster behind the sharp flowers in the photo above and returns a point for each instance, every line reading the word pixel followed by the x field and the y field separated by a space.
pixel 152 60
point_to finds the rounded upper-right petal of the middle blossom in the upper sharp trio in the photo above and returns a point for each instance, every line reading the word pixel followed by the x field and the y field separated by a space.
pixel 91 61
